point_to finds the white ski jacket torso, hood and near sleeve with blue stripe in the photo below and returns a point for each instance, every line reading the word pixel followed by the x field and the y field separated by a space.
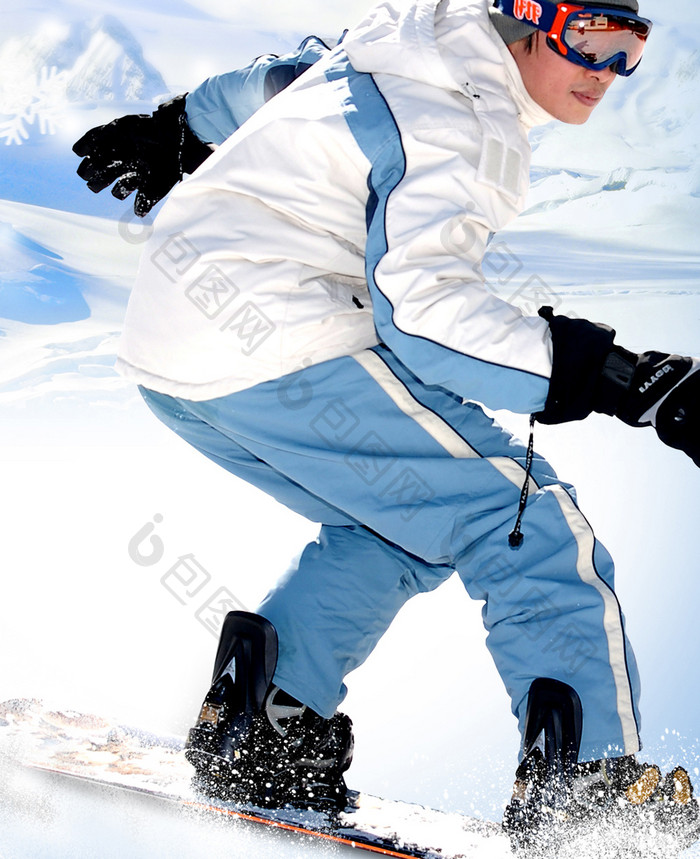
pixel 352 208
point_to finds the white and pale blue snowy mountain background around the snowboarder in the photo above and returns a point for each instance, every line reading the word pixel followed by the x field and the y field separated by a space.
pixel 610 234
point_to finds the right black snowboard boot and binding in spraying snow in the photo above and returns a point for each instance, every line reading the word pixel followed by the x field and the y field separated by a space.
pixel 624 805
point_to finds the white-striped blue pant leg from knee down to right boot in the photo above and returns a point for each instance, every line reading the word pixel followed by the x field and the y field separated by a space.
pixel 550 610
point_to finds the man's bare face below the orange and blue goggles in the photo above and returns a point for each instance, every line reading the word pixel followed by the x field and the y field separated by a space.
pixel 565 90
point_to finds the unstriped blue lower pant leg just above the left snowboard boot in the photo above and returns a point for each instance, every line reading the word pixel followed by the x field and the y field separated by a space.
pixel 331 610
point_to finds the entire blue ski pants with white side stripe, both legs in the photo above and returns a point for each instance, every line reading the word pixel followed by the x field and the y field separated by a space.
pixel 411 484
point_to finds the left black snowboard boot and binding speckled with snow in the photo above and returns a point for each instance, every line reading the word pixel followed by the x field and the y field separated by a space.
pixel 255 744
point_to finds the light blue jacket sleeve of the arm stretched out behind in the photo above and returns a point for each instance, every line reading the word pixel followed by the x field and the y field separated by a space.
pixel 220 105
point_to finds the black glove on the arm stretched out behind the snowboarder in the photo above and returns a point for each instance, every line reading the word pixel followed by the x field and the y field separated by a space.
pixel 143 153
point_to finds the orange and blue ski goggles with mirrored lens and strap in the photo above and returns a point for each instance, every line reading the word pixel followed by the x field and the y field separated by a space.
pixel 592 36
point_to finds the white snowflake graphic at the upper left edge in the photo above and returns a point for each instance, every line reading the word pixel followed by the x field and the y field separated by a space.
pixel 34 102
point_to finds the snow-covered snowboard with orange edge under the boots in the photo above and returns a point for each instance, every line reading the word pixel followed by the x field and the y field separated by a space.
pixel 95 750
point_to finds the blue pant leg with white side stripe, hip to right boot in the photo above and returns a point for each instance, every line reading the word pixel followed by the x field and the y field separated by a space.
pixel 441 481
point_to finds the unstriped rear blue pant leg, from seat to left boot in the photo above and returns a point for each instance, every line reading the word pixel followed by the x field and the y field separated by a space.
pixel 331 609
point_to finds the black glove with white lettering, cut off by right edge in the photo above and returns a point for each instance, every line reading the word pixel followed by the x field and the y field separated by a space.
pixel 591 374
